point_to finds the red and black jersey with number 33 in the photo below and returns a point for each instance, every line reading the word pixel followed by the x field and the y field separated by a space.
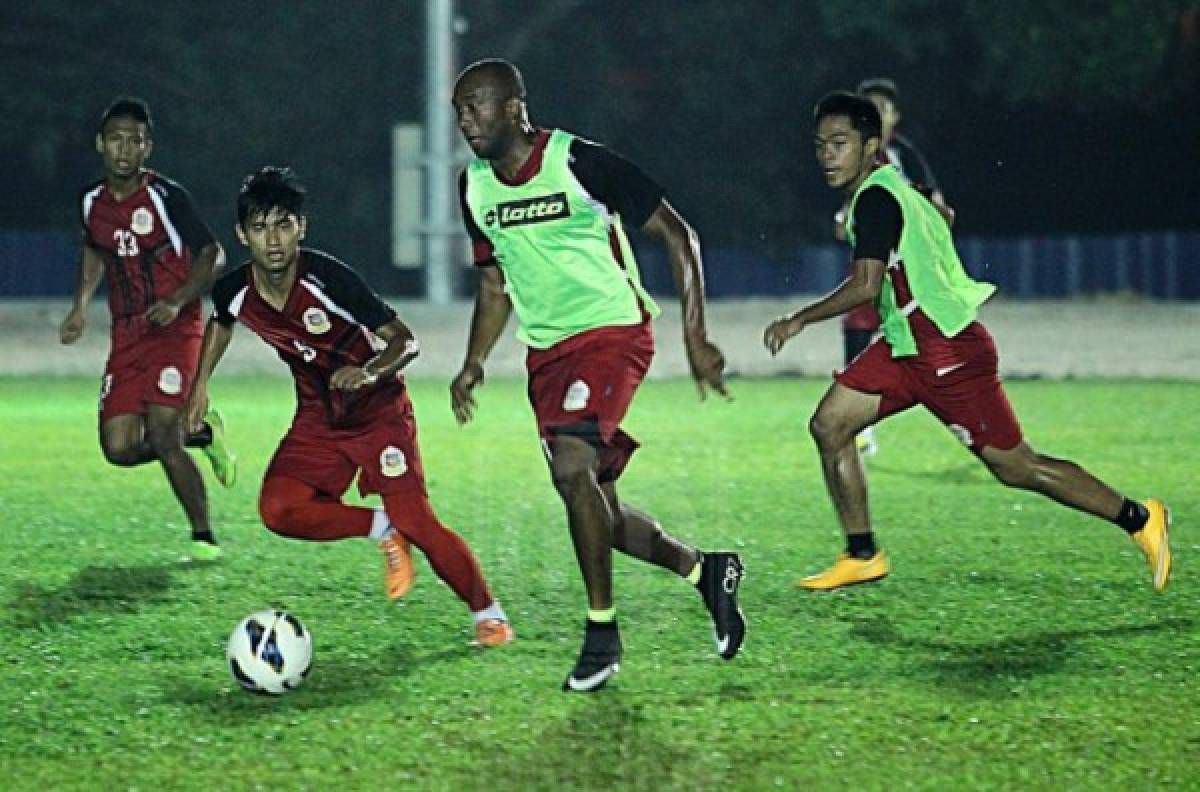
pixel 148 243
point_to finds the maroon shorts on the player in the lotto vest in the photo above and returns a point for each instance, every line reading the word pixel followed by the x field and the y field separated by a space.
pixel 584 387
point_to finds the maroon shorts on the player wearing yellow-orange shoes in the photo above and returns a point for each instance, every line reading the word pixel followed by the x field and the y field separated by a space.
pixel 964 392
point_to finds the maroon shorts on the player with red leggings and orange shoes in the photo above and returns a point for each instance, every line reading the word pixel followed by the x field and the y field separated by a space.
pixel 382 452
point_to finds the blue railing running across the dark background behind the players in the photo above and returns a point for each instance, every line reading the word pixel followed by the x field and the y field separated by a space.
pixel 1163 266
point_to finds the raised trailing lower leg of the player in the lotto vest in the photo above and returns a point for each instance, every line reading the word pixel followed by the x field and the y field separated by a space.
pixel 716 575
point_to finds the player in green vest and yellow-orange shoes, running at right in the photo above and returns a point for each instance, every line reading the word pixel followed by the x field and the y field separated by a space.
pixel 933 353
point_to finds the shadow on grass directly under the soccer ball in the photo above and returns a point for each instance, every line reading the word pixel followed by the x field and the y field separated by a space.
pixel 334 681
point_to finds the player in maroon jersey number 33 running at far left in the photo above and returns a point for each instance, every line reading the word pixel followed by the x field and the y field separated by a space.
pixel 143 233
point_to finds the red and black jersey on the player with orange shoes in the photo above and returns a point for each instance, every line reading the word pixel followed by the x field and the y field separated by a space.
pixel 326 325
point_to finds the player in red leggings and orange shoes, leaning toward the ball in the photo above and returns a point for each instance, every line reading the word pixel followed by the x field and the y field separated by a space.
pixel 345 347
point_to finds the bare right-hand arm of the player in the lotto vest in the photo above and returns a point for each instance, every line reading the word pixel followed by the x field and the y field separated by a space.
pixel 683 251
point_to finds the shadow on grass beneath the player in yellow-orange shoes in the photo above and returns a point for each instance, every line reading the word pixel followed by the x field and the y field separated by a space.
pixel 991 669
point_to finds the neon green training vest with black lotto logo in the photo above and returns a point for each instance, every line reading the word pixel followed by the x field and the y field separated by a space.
pixel 553 243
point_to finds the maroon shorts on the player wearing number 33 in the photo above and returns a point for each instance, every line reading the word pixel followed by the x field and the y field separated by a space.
pixel 154 370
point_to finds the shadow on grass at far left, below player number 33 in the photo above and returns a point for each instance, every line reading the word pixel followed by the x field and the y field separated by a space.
pixel 104 590
